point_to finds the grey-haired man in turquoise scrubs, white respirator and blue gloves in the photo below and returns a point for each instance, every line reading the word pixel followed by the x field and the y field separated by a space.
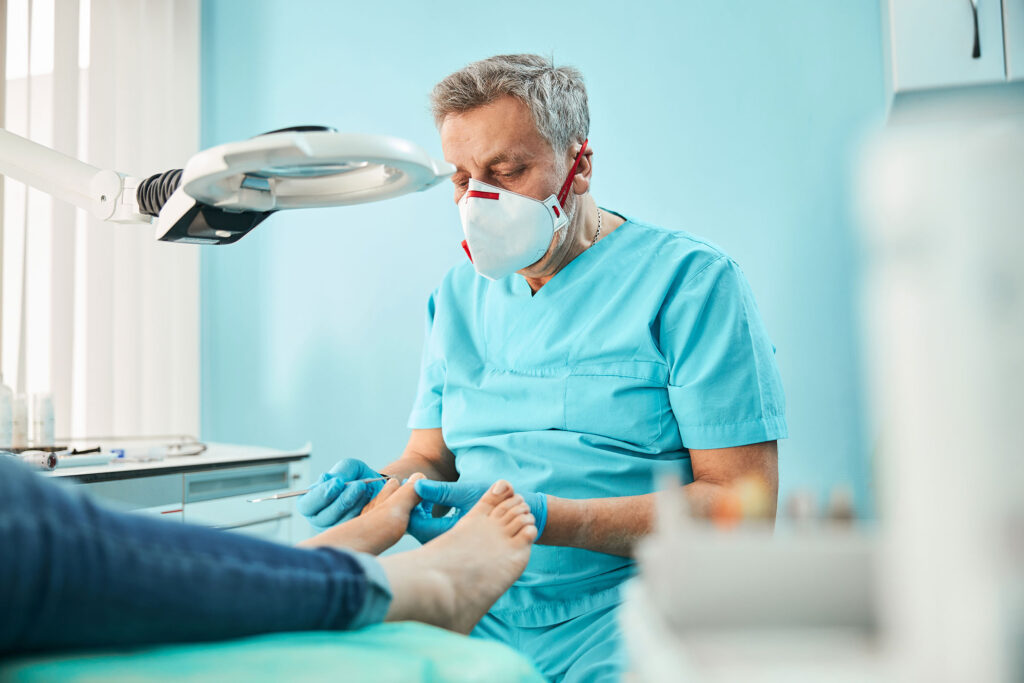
pixel 575 354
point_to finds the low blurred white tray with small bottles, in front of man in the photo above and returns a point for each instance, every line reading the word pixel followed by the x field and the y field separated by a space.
pixel 736 602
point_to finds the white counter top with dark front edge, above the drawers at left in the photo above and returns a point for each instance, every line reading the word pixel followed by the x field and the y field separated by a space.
pixel 216 457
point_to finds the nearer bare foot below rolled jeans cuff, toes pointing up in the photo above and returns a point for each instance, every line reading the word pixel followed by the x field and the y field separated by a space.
pixel 453 581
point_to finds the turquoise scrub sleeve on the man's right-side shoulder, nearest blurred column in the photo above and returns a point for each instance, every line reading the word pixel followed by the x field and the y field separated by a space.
pixel 724 386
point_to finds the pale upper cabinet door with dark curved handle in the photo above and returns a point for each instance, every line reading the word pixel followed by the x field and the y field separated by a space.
pixel 932 44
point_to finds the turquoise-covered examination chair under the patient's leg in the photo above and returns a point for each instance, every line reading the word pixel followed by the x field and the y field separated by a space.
pixel 402 653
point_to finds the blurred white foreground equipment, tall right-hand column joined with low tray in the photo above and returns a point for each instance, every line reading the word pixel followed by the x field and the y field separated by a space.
pixel 936 592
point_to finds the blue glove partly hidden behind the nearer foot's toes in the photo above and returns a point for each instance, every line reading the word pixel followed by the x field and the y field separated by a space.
pixel 460 496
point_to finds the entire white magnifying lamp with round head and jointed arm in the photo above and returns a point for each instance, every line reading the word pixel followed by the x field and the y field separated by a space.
pixel 226 192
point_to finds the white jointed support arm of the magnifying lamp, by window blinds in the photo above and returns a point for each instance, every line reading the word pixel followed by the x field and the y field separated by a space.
pixel 106 195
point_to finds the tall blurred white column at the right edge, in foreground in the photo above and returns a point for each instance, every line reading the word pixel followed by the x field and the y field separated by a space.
pixel 943 190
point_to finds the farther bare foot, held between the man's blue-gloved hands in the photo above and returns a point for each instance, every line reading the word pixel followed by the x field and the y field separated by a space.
pixel 379 527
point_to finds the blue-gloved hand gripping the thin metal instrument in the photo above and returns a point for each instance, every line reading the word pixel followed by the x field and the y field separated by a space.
pixel 333 500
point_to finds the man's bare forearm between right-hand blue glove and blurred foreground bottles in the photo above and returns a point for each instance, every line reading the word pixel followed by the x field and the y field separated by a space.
pixel 615 526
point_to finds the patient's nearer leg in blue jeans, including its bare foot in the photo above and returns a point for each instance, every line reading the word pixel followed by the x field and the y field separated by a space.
pixel 74 574
